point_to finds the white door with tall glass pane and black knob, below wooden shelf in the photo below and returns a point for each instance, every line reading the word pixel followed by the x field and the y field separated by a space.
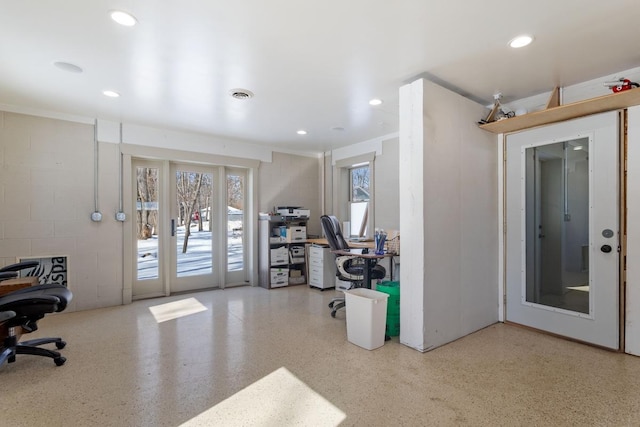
pixel 562 234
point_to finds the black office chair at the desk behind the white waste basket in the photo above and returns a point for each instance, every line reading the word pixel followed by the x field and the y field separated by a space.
pixel 348 268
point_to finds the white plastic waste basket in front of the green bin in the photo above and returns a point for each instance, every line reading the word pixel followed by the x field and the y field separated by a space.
pixel 366 317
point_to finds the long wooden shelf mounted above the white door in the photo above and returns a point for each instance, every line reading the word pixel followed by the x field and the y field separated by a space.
pixel 613 101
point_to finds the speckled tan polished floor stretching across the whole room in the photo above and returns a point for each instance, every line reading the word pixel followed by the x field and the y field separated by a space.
pixel 126 369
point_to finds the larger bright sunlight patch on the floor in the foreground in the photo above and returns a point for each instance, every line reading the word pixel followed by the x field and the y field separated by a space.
pixel 278 399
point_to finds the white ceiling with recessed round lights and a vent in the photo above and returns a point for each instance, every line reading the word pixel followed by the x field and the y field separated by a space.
pixel 311 65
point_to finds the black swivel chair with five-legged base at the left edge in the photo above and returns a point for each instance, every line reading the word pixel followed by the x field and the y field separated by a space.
pixel 28 306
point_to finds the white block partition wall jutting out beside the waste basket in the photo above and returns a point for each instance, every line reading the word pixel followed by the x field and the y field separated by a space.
pixel 449 190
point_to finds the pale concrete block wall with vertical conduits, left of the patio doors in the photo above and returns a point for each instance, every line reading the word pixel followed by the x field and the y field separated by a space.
pixel 47 196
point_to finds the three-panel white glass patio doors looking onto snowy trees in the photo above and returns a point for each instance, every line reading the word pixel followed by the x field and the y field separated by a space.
pixel 189 224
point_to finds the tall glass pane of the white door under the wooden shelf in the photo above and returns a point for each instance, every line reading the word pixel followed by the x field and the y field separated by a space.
pixel 557 222
